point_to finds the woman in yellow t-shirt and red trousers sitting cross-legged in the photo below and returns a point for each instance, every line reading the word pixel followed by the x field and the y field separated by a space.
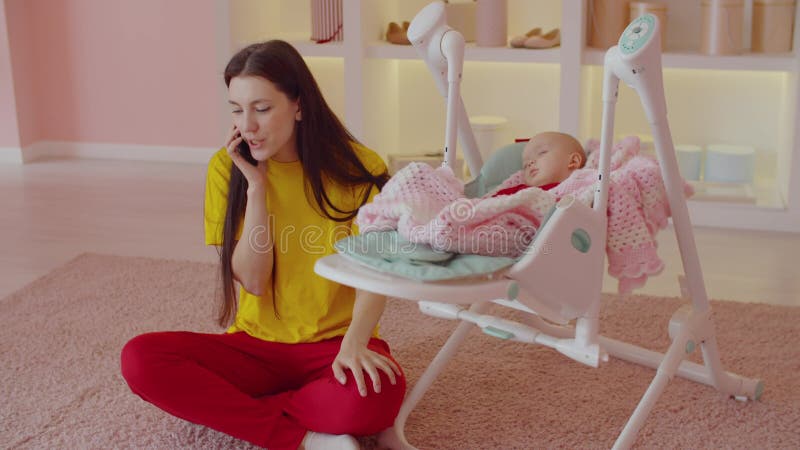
pixel 301 365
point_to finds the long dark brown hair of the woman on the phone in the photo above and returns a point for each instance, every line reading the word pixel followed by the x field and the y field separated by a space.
pixel 324 146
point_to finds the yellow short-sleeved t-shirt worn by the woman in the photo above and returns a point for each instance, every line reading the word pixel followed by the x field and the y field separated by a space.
pixel 311 308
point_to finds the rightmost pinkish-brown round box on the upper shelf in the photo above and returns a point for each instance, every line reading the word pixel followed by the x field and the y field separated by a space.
pixel 773 24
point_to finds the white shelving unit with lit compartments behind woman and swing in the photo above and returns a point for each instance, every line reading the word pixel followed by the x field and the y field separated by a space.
pixel 386 97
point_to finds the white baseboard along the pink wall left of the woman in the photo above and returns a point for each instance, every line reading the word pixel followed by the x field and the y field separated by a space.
pixel 128 152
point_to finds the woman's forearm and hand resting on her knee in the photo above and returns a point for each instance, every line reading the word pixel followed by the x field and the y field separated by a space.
pixel 355 355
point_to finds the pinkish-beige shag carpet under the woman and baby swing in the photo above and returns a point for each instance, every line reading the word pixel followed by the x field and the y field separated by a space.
pixel 60 385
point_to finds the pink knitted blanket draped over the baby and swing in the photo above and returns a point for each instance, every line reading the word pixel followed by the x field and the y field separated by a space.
pixel 427 205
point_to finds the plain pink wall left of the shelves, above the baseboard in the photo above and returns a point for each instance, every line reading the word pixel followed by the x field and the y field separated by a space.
pixel 116 71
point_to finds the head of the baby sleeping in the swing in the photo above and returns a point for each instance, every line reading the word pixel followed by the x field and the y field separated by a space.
pixel 550 157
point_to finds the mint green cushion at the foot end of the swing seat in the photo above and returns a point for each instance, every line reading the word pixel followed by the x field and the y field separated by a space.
pixel 387 251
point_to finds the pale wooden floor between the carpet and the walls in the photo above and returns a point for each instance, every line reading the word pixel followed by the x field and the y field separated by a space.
pixel 52 211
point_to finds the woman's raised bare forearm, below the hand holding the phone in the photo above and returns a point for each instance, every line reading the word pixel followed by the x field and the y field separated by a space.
pixel 253 256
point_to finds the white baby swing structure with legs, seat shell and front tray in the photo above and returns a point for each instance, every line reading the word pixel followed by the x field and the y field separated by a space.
pixel 573 235
